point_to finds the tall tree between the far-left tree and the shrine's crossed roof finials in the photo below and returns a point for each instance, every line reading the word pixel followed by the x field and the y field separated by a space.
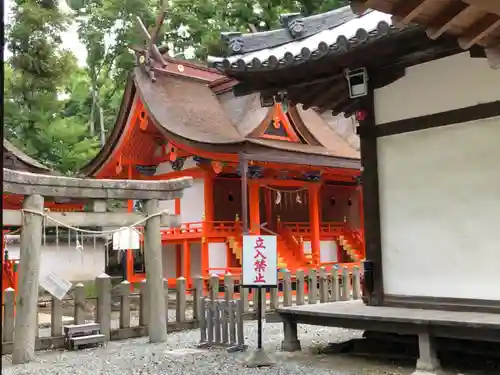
pixel 107 28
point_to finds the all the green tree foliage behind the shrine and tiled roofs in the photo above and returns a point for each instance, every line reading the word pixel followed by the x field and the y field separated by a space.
pixel 50 102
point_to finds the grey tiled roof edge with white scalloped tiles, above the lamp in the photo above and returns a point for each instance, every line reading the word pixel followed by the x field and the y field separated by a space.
pixel 340 31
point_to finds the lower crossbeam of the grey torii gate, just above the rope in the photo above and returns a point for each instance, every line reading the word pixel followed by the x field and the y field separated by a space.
pixel 90 219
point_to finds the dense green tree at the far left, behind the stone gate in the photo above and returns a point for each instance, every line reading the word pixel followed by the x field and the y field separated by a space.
pixel 36 75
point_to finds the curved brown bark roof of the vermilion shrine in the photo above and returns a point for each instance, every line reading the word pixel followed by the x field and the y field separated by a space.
pixel 189 110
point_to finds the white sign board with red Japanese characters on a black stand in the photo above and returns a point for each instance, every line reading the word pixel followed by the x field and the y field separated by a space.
pixel 260 261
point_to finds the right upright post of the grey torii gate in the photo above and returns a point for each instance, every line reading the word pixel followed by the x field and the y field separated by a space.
pixel 154 274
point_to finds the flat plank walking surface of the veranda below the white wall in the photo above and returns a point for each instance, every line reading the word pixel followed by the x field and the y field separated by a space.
pixel 357 310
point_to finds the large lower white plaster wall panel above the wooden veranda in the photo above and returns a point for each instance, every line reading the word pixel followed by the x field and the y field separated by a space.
pixel 440 209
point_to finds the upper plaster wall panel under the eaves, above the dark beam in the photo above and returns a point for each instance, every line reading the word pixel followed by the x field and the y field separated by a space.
pixel 450 83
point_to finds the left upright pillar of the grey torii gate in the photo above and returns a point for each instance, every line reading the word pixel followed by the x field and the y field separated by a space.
pixel 26 324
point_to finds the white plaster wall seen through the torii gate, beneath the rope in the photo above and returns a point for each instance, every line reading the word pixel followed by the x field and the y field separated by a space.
pixel 67 262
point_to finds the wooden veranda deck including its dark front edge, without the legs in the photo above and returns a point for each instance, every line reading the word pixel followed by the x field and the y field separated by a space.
pixel 356 315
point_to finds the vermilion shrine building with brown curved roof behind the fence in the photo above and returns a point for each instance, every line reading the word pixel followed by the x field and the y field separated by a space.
pixel 303 175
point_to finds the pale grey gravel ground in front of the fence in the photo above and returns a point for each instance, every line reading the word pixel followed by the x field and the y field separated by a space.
pixel 179 357
